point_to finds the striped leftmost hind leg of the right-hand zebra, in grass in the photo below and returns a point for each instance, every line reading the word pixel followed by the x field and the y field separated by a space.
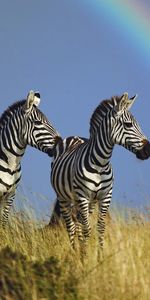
pixel 66 211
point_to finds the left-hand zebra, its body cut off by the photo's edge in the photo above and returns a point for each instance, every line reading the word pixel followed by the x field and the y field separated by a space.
pixel 21 124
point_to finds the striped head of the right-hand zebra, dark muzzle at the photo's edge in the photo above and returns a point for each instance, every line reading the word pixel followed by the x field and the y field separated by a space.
pixel 126 130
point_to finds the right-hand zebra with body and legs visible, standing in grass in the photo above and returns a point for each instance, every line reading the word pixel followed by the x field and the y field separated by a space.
pixel 82 174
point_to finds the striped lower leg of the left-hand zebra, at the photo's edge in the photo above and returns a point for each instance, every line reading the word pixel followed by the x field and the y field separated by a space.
pixel 6 207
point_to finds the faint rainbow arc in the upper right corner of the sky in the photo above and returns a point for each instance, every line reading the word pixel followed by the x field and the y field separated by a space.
pixel 132 18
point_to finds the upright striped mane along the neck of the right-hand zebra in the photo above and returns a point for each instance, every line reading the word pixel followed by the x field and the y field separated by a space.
pixel 101 110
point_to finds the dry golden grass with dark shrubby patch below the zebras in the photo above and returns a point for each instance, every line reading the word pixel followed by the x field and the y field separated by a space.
pixel 38 263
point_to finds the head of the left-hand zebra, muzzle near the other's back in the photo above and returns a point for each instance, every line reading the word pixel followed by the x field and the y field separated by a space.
pixel 38 131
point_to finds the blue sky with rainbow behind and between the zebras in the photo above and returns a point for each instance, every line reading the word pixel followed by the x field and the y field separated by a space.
pixel 77 53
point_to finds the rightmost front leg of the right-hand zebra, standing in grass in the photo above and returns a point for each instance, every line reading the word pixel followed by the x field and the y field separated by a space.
pixel 103 208
